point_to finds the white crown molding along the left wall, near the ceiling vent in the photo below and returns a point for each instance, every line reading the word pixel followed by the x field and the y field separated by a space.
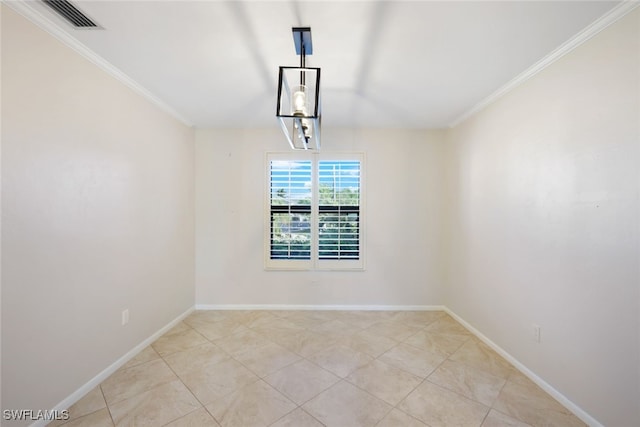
pixel 28 11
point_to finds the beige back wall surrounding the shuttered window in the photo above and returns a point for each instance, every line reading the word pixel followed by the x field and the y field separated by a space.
pixel 403 176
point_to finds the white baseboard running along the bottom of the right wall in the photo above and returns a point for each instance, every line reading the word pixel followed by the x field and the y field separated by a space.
pixel 564 401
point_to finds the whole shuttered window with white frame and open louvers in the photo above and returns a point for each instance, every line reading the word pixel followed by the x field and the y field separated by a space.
pixel 314 211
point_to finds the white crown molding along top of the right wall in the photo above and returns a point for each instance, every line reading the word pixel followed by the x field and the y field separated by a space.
pixel 594 28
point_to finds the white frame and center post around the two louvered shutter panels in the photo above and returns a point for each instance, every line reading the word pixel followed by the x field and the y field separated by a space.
pixel 314 263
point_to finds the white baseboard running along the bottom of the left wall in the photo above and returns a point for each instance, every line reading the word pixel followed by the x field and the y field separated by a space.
pixel 95 381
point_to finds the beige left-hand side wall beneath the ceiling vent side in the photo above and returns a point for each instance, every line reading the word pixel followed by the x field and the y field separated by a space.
pixel 98 216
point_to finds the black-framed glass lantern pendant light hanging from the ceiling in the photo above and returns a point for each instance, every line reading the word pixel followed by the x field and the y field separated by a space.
pixel 298 107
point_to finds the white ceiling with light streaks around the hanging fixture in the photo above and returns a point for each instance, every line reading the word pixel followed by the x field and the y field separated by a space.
pixel 411 64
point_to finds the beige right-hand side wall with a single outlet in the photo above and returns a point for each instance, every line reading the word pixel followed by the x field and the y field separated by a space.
pixel 544 223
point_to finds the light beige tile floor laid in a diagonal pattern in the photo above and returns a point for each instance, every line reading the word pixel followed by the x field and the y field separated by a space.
pixel 318 368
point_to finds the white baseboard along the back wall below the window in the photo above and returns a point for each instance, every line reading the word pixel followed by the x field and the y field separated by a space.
pixel 319 307
